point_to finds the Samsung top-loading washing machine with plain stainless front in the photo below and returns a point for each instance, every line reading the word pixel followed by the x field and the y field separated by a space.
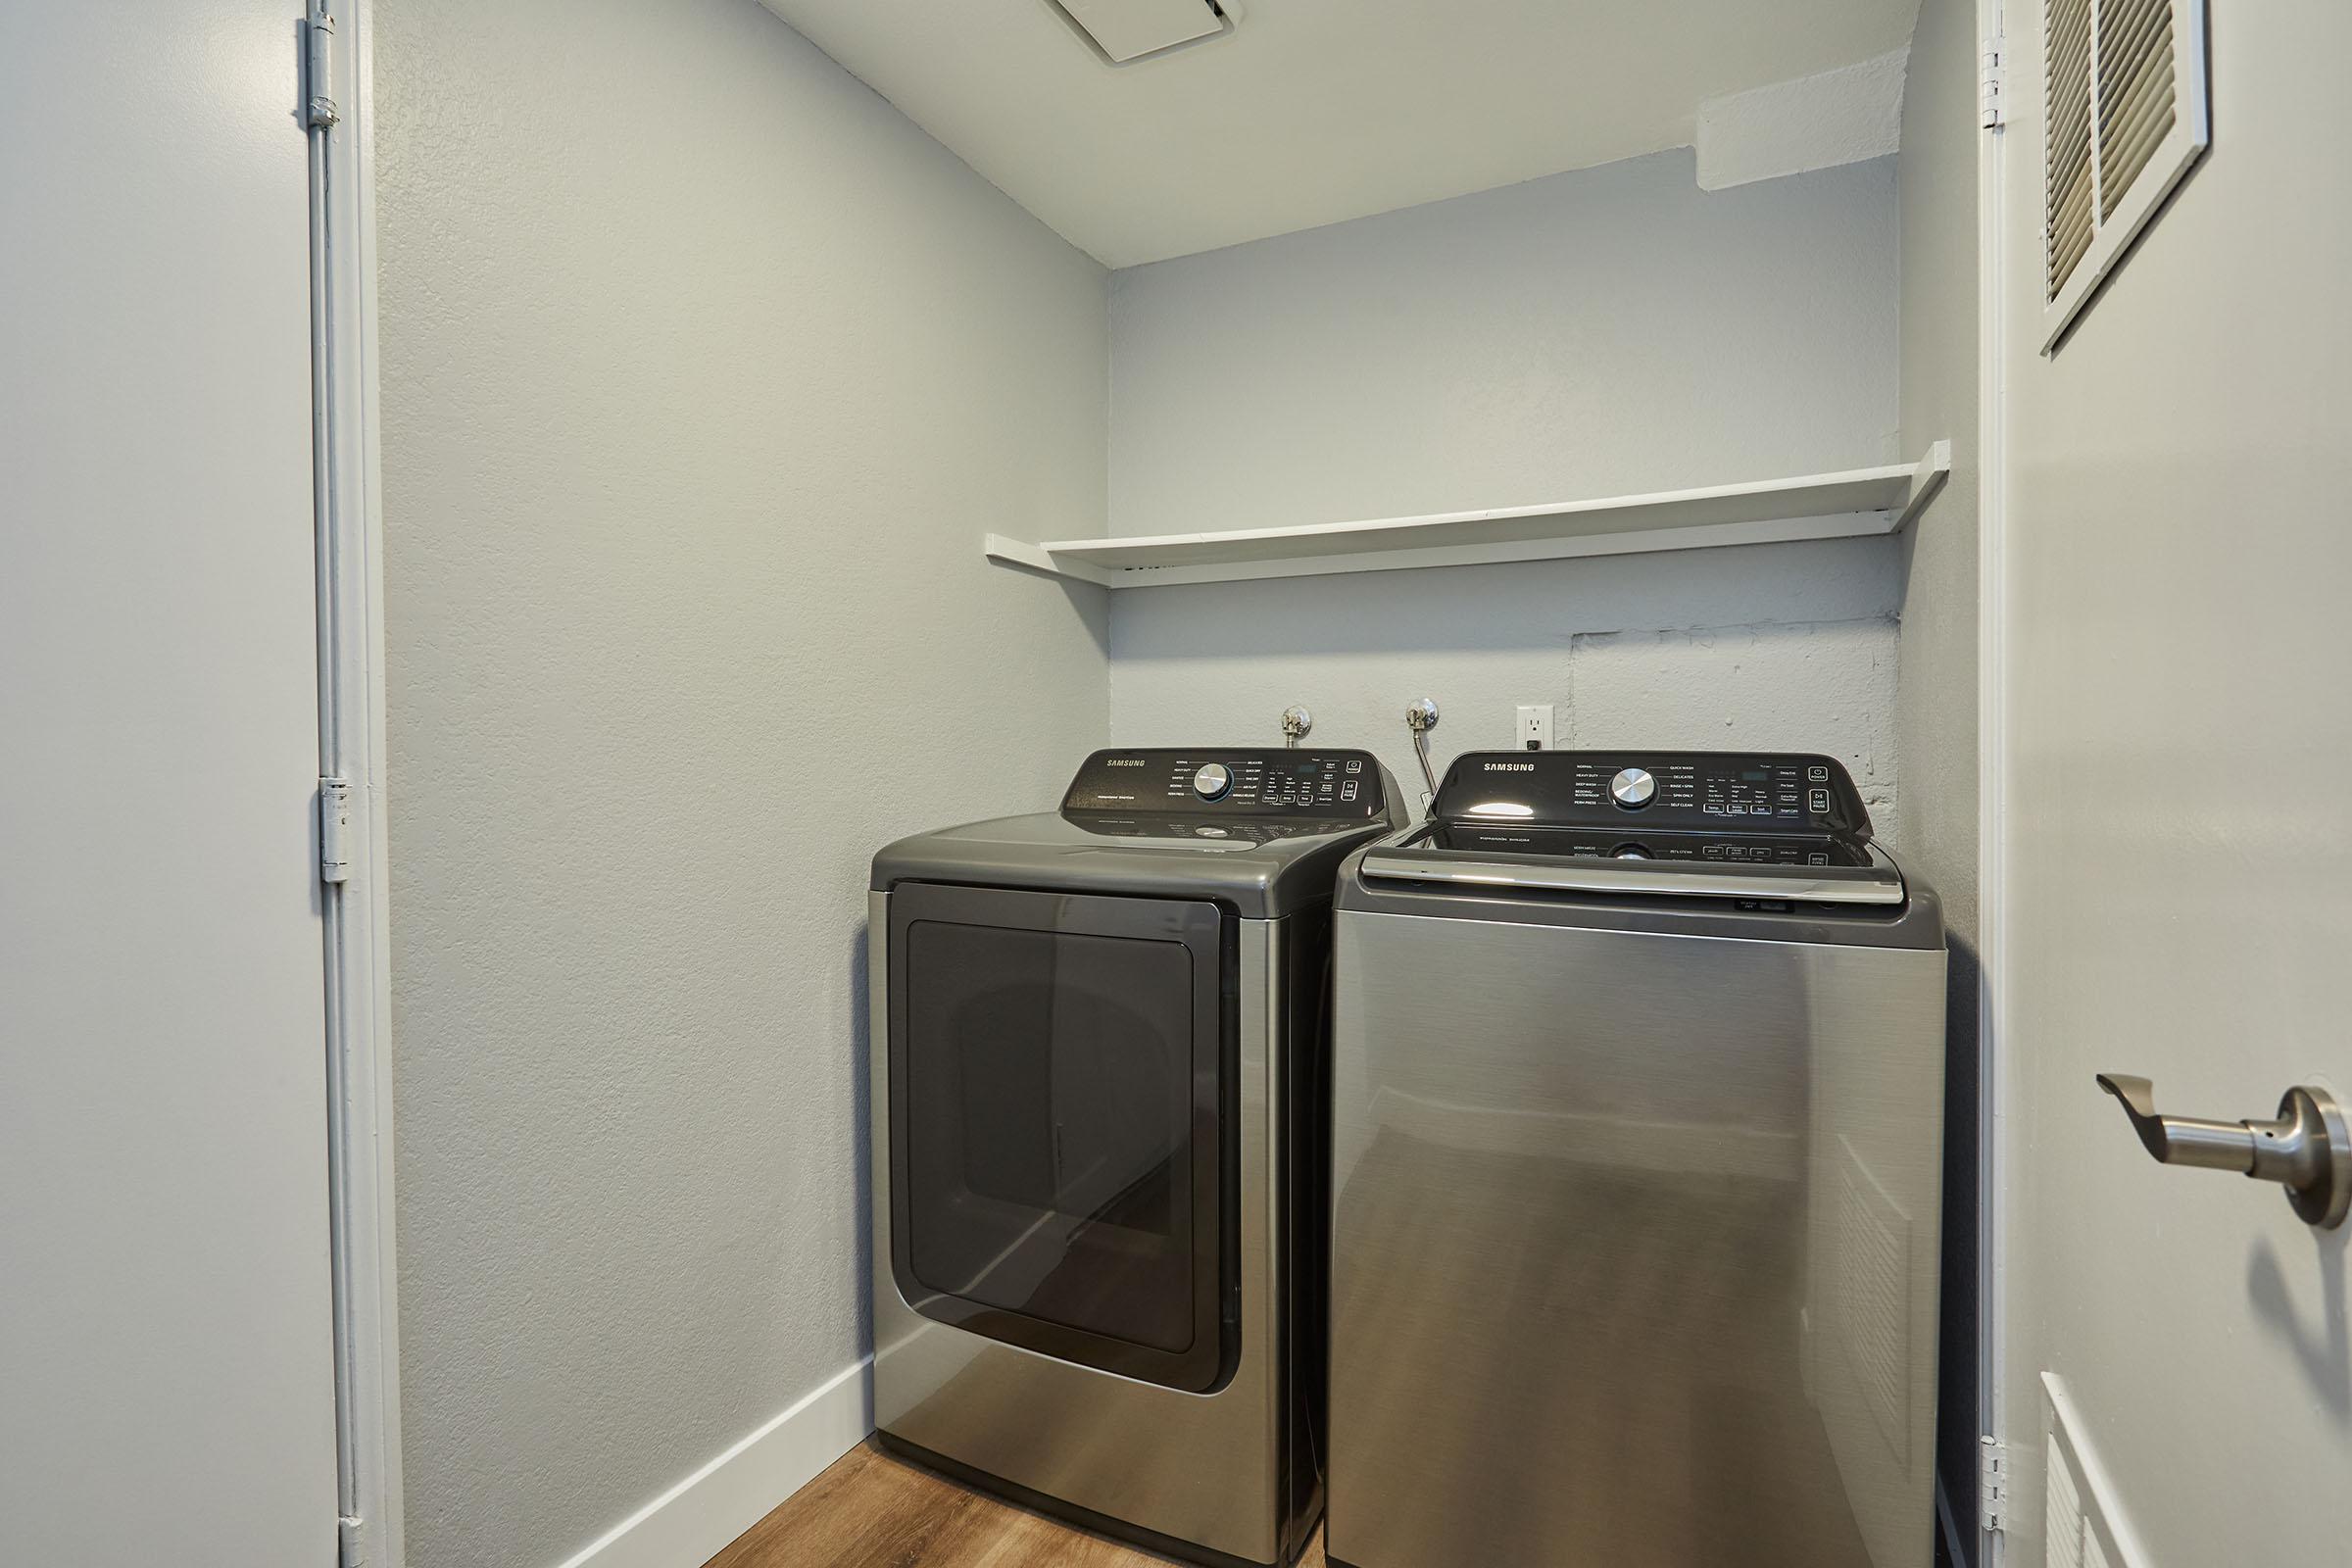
pixel 1638 1113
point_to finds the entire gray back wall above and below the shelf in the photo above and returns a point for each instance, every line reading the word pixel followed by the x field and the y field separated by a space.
pixel 1601 333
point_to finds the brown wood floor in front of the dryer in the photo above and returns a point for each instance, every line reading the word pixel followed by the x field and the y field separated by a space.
pixel 874 1510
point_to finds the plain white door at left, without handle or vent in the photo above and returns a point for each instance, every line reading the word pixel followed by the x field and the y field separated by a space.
pixel 166 1336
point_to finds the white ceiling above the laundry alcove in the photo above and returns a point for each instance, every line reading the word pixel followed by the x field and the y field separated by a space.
pixel 1316 112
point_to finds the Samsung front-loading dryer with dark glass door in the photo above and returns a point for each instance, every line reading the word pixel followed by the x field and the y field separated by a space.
pixel 1100 1144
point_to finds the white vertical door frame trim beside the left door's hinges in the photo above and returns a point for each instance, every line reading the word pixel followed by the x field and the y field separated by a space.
pixel 352 749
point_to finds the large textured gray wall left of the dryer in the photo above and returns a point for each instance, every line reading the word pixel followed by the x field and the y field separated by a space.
pixel 693 424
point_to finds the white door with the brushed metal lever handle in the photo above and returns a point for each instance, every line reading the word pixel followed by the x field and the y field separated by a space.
pixel 2179 810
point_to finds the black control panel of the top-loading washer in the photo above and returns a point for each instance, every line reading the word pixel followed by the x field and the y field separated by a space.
pixel 1720 793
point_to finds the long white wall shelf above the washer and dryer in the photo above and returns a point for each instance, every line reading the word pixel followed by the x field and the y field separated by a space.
pixel 1852 504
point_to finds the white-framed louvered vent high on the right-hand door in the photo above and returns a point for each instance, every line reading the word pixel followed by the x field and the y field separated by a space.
pixel 2125 95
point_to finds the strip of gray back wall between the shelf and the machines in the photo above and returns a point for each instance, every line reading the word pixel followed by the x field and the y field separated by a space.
pixel 1673 657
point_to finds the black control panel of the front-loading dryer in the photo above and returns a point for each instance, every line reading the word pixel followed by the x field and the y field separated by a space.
pixel 1337 786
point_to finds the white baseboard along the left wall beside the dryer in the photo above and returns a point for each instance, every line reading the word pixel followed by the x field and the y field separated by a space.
pixel 688 1525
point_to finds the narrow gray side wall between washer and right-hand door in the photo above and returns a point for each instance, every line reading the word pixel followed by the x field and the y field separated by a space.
pixel 1937 697
